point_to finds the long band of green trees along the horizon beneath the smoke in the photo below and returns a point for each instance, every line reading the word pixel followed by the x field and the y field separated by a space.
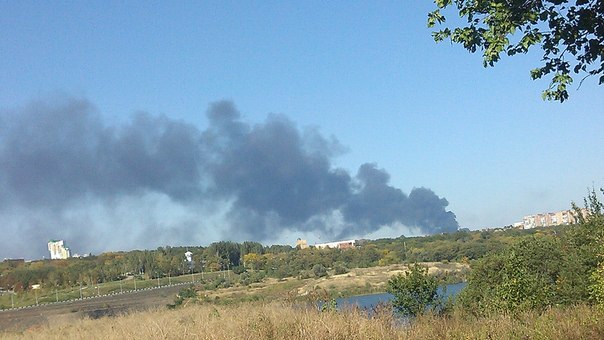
pixel 273 261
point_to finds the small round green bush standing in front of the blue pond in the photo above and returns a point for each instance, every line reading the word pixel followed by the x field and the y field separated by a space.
pixel 414 292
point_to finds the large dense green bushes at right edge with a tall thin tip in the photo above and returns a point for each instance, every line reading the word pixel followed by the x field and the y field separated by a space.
pixel 544 270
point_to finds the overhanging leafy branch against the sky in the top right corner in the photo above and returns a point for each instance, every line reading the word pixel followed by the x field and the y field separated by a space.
pixel 570 34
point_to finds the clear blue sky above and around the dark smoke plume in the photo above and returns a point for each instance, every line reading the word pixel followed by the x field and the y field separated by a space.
pixel 366 73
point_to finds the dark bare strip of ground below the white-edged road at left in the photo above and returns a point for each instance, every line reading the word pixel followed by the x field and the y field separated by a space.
pixel 21 319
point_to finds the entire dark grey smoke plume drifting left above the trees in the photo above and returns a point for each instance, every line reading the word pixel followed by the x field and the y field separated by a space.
pixel 61 164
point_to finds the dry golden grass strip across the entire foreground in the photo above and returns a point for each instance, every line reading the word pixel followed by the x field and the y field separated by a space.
pixel 278 321
